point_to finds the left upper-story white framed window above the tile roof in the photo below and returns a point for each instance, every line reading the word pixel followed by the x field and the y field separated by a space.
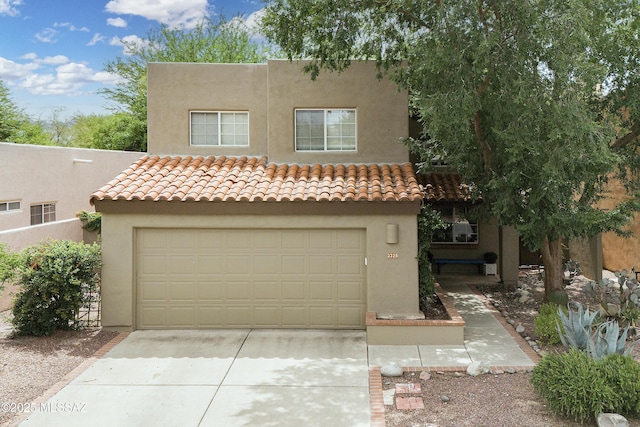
pixel 211 128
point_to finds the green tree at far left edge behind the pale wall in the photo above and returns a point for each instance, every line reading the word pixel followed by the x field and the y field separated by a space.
pixel 15 125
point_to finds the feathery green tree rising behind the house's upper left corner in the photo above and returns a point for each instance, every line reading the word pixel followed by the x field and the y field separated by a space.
pixel 216 41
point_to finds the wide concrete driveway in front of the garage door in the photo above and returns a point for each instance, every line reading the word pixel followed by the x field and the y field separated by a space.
pixel 220 378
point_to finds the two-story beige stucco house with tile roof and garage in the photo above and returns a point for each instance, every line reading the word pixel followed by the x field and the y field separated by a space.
pixel 266 200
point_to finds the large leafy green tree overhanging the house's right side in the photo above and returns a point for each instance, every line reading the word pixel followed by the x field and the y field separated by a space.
pixel 536 103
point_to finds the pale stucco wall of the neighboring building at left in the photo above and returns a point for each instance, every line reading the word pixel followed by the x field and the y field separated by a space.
pixel 36 174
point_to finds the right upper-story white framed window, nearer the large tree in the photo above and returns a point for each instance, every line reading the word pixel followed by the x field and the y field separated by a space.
pixel 325 130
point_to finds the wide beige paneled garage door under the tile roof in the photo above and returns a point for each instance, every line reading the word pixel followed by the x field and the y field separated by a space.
pixel 204 278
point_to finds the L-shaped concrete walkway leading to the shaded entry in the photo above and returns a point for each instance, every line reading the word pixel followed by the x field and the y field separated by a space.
pixel 486 340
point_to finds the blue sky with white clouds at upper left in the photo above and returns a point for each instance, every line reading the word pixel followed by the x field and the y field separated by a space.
pixel 53 52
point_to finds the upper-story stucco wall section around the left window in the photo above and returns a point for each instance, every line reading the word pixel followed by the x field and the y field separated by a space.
pixel 174 90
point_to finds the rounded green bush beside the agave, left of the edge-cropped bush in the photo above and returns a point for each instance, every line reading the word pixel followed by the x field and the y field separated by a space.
pixel 572 385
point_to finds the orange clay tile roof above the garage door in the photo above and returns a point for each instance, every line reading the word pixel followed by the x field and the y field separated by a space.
pixel 252 179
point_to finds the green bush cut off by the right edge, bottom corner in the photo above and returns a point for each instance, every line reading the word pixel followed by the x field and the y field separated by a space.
pixel 622 373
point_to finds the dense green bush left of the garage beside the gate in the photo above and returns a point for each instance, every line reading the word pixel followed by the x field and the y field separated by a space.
pixel 55 277
